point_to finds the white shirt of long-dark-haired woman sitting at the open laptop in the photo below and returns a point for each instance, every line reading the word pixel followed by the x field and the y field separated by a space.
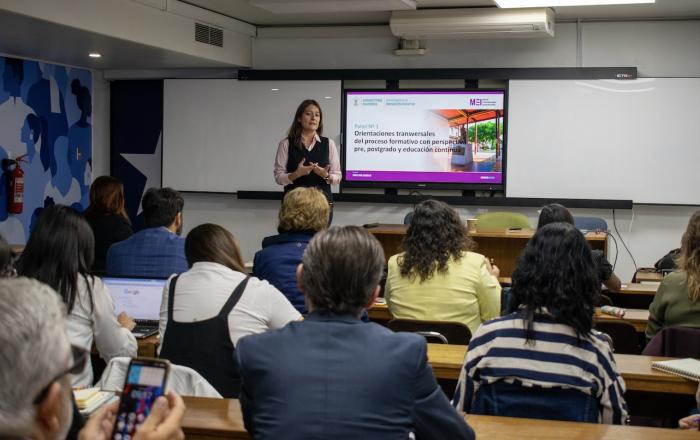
pixel 97 322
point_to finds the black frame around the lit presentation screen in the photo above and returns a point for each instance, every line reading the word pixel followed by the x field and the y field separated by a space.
pixel 393 185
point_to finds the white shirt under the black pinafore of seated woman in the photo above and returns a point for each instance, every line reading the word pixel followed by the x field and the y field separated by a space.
pixel 202 291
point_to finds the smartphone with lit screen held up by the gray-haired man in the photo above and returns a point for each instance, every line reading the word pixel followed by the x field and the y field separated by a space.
pixel 145 381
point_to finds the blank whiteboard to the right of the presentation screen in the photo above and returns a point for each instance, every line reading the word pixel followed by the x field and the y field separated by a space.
pixel 635 140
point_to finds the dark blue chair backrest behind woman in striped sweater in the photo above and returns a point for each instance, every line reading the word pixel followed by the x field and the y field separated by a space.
pixel 513 400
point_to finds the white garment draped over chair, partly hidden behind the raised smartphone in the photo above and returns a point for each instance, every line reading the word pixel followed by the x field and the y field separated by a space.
pixel 182 380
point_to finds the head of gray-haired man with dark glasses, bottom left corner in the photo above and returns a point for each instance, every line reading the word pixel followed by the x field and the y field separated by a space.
pixel 35 361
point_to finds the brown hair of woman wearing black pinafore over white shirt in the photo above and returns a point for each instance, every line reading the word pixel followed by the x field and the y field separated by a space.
pixel 212 243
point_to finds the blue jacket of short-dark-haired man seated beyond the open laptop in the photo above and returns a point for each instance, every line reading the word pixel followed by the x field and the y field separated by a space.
pixel 152 252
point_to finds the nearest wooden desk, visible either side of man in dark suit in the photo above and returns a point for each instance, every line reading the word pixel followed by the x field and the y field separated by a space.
pixel 222 418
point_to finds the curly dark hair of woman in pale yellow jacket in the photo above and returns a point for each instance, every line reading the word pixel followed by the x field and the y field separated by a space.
pixel 436 235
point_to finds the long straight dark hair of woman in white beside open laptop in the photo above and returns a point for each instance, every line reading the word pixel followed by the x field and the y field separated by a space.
pixel 60 249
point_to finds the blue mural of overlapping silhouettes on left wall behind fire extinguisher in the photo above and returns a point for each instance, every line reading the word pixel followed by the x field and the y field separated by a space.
pixel 45 113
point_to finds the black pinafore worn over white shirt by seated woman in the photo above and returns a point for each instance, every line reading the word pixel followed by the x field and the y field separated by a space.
pixel 205 346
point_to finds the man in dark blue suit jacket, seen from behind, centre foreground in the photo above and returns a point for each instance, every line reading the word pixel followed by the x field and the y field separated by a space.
pixel 332 376
